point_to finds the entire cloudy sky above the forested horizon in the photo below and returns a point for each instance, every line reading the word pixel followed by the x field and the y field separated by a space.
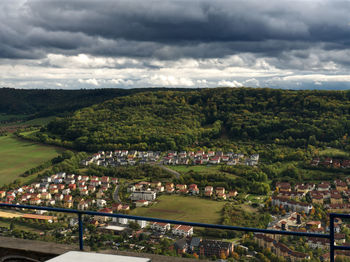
pixel 70 44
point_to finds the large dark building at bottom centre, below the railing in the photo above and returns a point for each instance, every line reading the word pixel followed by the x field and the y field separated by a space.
pixel 210 248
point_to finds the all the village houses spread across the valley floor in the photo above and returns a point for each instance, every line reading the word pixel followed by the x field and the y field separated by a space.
pixel 295 204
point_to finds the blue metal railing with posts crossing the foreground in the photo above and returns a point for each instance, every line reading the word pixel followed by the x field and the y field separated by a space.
pixel 80 213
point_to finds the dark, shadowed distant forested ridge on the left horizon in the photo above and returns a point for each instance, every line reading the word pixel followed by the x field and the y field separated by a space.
pixel 45 102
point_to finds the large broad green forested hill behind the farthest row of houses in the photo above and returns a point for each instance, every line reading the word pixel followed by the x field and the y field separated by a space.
pixel 165 120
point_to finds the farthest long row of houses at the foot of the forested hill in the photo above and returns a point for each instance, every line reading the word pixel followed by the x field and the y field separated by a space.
pixel 134 157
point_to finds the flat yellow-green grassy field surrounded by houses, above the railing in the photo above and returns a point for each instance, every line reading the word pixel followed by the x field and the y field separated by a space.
pixel 183 208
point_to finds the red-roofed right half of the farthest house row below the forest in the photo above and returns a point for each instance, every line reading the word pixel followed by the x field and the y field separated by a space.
pixel 210 157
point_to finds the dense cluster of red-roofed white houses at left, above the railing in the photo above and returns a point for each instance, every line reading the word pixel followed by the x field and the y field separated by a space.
pixel 58 189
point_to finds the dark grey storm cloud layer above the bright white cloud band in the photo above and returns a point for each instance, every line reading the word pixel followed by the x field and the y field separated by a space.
pixel 171 29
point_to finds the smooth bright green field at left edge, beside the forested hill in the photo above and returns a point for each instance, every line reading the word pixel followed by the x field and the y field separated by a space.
pixel 17 156
